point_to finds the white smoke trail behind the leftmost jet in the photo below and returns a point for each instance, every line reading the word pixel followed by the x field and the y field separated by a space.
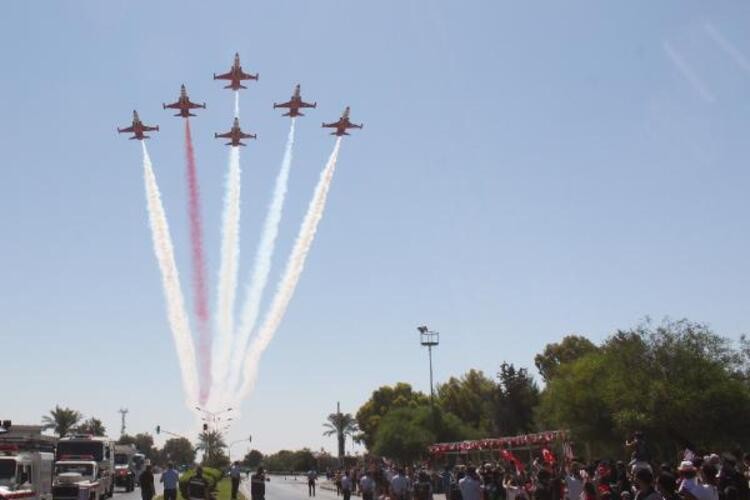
pixel 176 312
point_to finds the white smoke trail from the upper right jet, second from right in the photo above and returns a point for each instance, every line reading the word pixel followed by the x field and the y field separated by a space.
pixel 262 264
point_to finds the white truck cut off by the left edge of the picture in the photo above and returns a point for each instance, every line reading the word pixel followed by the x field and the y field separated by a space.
pixel 25 473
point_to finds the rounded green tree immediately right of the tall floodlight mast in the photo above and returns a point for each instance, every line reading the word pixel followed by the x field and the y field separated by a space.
pixel 471 398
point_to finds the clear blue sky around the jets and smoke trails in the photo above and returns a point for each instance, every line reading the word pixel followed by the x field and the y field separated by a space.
pixel 527 170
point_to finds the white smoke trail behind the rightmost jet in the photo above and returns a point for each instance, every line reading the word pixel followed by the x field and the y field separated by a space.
pixel 291 275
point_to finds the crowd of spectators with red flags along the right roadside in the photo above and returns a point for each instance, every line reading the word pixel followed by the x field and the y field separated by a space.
pixel 544 477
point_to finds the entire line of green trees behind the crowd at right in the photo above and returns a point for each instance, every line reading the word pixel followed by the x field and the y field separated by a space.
pixel 677 381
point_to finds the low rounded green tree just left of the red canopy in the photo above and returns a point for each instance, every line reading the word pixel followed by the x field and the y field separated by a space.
pixel 405 433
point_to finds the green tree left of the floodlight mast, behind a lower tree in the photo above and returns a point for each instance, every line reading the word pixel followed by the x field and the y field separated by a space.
pixel 383 400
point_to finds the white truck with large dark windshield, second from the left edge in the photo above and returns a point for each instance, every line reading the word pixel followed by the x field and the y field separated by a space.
pixel 78 452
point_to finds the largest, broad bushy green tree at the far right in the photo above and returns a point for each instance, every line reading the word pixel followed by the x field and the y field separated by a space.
pixel 676 381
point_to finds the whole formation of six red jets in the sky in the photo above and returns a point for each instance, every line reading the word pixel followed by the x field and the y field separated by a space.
pixel 236 76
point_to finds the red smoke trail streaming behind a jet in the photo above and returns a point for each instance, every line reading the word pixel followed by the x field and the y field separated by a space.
pixel 200 293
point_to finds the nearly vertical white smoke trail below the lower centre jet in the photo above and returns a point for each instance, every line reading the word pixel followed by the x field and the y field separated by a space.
pixel 230 253
